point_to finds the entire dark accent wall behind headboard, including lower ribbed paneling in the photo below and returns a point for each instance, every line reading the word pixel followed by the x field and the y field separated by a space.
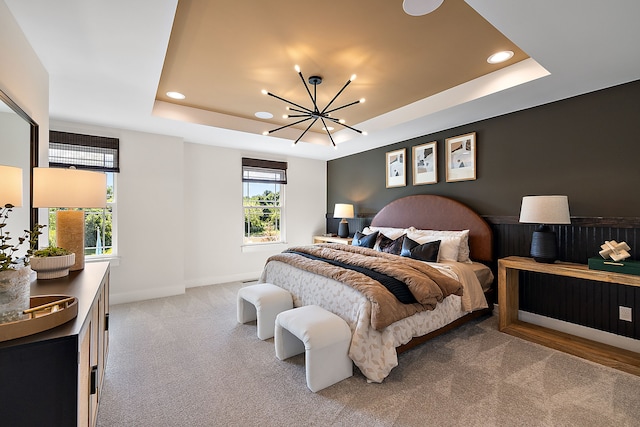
pixel 586 147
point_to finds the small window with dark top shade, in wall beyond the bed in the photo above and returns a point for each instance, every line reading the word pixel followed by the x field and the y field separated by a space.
pixel 263 183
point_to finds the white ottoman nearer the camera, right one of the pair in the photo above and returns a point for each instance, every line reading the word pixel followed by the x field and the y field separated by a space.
pixel 325 339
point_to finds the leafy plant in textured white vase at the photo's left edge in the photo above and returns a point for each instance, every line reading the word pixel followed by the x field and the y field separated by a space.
pixel 15 273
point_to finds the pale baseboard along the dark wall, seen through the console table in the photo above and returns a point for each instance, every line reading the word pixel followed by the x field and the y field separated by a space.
pixel 578 330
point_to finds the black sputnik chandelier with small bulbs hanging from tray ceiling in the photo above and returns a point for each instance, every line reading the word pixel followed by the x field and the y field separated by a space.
pixel 314 113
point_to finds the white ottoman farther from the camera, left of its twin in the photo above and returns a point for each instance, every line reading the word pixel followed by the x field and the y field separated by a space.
pixel 262 302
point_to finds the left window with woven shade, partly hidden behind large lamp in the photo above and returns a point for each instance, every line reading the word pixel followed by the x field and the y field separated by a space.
pixel 96 153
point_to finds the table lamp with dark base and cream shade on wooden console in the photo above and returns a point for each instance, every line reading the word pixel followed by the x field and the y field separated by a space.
pixel 544 210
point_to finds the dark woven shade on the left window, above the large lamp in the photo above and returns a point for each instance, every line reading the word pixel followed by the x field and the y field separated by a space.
pixel 88 152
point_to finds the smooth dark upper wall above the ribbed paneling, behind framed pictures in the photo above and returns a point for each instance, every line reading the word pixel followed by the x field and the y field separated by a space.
pixel 587 147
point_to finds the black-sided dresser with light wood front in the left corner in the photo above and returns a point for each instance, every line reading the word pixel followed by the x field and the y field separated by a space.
pixel 55 377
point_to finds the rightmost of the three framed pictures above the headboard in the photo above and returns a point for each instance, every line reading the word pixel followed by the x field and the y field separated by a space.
pixel 461 157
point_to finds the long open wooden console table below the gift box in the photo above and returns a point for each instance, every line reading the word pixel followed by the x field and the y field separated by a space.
pixel 508 300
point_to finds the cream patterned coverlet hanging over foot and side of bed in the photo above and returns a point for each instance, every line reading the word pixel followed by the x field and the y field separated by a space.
pixel 374 352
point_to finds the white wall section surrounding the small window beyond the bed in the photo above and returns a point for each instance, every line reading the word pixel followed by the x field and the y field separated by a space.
pixel 214 218
